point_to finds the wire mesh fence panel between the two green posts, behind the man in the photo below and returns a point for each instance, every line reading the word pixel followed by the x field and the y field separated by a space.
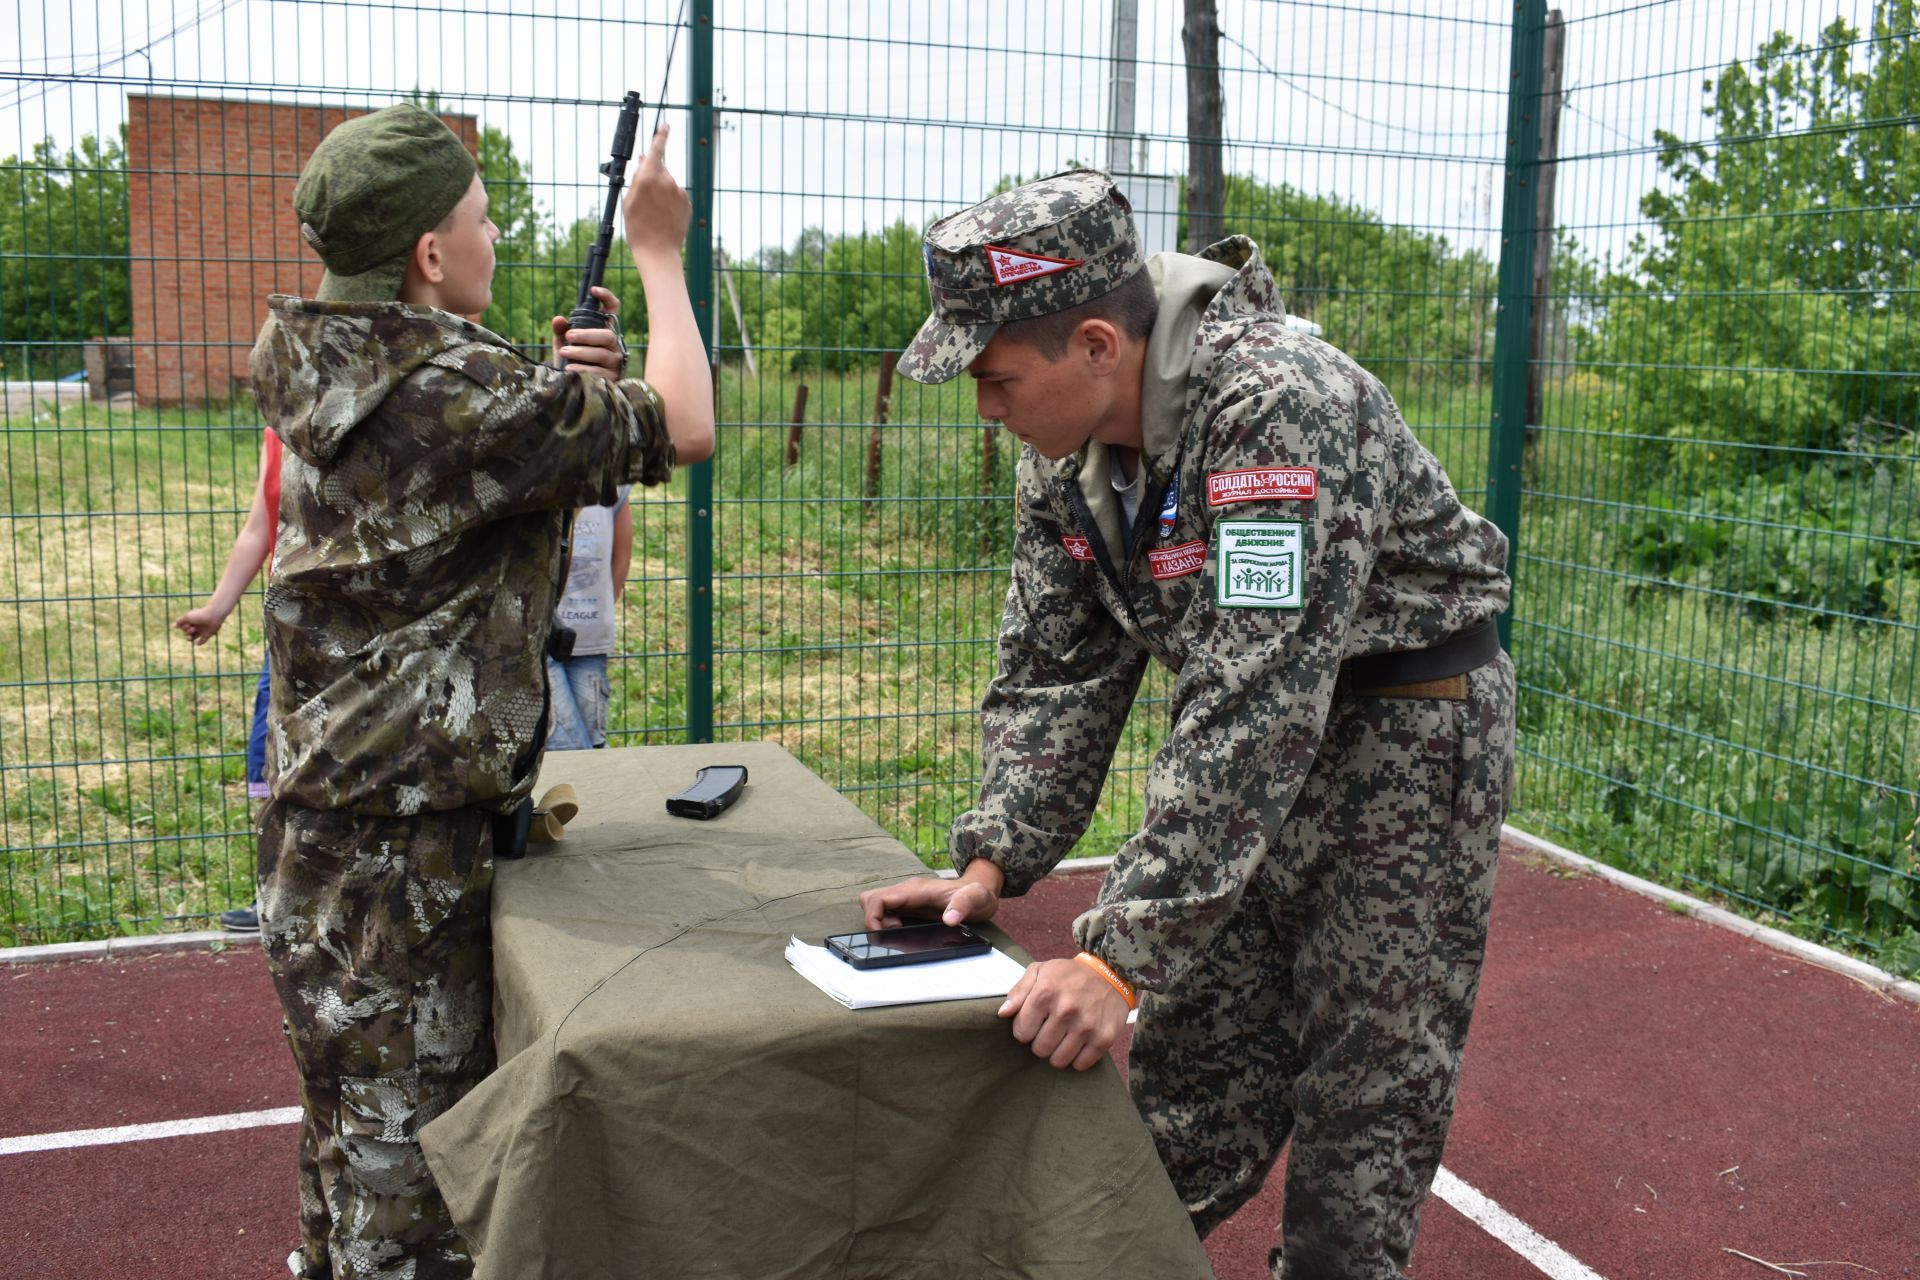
pixel 861 573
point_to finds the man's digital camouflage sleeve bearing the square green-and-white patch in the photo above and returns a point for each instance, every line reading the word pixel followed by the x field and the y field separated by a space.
pixel 1255 684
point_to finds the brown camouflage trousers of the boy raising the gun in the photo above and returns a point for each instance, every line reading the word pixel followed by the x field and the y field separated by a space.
pixel 379 943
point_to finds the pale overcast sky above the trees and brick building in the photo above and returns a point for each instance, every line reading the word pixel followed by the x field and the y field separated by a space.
pixel 848 114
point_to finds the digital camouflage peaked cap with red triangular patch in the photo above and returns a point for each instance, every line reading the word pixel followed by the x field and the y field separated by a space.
pixel 1034 250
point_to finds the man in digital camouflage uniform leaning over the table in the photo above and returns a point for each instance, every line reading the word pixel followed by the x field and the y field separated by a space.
pixel 1305 907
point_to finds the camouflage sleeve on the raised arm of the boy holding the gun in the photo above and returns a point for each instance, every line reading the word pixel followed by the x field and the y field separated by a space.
pixel 539 439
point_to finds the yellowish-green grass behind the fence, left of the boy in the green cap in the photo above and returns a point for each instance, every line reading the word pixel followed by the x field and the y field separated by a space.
pixel 122 747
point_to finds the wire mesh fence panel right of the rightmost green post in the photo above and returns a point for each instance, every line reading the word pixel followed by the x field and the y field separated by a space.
pixel 1717 596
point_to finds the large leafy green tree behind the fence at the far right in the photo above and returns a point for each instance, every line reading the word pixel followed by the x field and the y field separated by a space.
pixel 1769 321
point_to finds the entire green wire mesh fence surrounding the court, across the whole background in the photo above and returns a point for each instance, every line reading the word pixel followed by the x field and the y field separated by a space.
pixel 1716 607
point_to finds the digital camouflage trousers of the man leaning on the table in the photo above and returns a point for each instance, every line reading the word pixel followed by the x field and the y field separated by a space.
pixel 1333 1010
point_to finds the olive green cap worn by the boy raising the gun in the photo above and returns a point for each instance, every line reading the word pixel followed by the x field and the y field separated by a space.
pixel 373 187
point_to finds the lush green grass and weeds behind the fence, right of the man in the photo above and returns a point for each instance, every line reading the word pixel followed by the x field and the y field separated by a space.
pixel 1710 723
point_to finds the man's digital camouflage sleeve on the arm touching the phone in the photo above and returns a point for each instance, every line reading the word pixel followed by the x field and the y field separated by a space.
pixel 1053 715
